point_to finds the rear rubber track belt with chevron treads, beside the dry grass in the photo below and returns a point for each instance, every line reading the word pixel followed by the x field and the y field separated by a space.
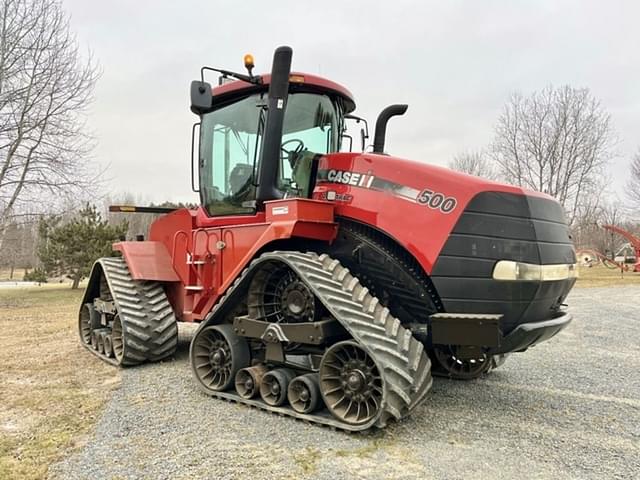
pixel 149 325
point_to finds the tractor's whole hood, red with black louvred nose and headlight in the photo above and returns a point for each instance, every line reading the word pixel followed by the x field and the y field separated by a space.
pixel 487 247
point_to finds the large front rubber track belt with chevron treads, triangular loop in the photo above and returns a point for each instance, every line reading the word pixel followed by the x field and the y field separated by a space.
pixel 404 366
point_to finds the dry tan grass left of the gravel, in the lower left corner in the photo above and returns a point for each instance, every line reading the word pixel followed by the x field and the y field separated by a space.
pixel 52 389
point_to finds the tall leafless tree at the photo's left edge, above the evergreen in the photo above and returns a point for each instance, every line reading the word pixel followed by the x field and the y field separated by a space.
pixel 45 86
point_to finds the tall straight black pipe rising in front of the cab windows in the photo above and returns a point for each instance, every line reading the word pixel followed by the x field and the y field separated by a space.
pixel 272 139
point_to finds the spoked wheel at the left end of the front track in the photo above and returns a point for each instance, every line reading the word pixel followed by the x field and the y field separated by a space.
pixel 217 356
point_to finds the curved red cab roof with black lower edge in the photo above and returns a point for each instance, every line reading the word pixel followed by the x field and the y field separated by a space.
pixel 298 82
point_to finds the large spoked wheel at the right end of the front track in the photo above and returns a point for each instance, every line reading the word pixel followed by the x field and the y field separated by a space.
pixel 350 383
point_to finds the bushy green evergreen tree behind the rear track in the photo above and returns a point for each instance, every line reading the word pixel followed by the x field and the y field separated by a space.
pixel 71 248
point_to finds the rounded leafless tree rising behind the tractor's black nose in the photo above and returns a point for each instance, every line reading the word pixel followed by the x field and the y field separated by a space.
pixel 557 141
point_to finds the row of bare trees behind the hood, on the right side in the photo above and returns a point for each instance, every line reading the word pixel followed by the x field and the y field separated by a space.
pixel 560 141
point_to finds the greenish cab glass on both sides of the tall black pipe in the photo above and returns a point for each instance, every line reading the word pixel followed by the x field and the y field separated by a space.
pixel 230 145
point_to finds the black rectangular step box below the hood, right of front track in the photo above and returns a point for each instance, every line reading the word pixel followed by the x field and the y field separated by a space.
pixel 482 330
